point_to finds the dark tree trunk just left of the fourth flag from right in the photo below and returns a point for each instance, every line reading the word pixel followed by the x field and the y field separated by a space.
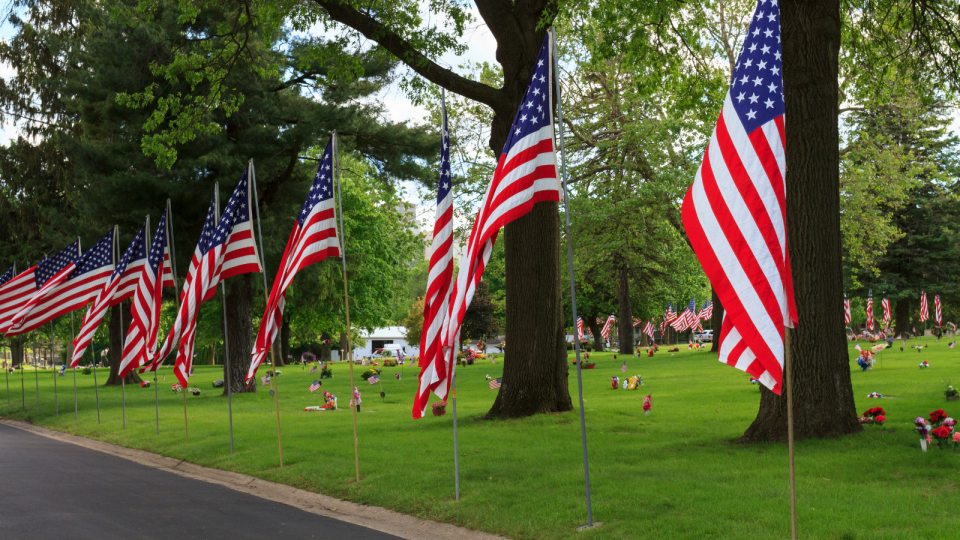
pixel 239 333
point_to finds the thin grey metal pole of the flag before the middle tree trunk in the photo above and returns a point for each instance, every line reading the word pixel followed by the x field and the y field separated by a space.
pixel 554 64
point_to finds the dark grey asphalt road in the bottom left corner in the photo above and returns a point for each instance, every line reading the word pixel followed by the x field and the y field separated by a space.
pixel 55 490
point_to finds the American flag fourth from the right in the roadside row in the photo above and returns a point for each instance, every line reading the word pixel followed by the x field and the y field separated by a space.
pixel 313 239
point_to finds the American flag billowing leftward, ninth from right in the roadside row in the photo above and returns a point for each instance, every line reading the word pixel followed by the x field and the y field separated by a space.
pixel 83 282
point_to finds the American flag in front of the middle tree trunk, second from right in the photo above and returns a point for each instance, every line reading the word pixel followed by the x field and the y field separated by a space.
pixel 525 175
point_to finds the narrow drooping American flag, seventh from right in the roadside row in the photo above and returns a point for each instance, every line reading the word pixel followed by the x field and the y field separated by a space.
pixel 141 338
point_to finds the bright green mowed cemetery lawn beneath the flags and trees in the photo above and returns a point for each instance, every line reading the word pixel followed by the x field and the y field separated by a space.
pixel 676 474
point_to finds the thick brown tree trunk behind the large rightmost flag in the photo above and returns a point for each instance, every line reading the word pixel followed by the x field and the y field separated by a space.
pixel 822 391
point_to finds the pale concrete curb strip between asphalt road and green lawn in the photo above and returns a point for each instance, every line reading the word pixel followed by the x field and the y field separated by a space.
pixel 371 517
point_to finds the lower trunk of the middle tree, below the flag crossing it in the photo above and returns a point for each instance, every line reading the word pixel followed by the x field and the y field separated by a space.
pixel 535 370
